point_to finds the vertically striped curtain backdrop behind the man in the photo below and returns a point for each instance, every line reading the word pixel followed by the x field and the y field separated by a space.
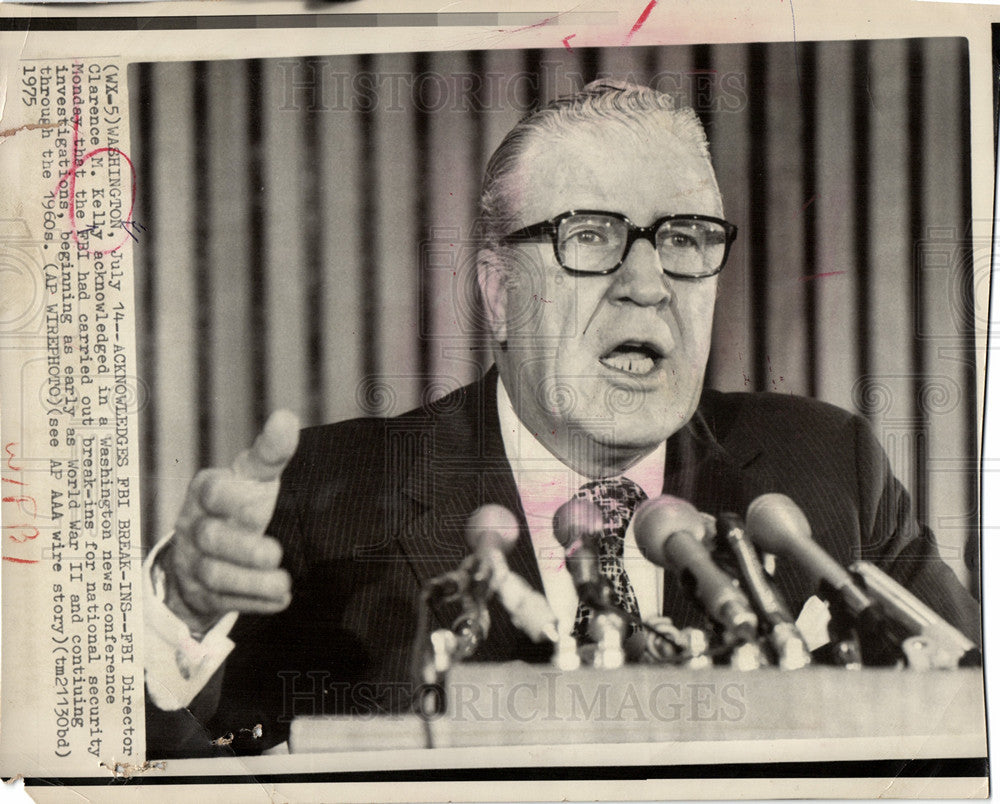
pixel 308 226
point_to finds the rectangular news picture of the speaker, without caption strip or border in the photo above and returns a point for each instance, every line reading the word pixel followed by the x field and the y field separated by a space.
pixel 637 395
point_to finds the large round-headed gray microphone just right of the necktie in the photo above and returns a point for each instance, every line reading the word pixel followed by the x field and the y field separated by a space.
pixel 668 532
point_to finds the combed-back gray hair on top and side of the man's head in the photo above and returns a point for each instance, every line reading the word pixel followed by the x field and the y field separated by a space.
pixel 621 102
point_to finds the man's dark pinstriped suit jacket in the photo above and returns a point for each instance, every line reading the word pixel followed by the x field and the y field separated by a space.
pixel 372 508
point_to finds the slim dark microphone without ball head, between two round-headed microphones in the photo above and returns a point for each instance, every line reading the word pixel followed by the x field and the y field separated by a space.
pixel 788 643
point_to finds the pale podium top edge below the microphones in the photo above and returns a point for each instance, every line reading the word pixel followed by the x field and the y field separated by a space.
pixel 520 704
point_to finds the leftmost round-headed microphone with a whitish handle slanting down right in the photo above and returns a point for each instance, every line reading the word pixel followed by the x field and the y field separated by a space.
pixel 492 531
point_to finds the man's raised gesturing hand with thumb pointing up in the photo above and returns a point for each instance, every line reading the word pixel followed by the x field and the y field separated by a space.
pixel 220 560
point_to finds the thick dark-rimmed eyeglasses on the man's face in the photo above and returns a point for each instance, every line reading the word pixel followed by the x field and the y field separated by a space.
pixel 590 242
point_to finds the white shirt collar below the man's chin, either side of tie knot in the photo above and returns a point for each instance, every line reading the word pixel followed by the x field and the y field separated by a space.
pixel 543 481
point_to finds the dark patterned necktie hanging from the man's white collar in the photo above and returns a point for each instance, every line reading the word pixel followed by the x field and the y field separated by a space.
pixel 617 498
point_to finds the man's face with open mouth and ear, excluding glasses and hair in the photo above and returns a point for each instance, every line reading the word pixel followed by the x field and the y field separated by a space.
pixel 618 359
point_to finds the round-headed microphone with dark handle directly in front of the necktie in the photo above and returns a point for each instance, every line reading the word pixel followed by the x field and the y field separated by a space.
pixel 578 526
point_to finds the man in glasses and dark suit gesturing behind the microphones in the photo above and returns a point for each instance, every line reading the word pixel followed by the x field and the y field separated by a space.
pixel 290 584
